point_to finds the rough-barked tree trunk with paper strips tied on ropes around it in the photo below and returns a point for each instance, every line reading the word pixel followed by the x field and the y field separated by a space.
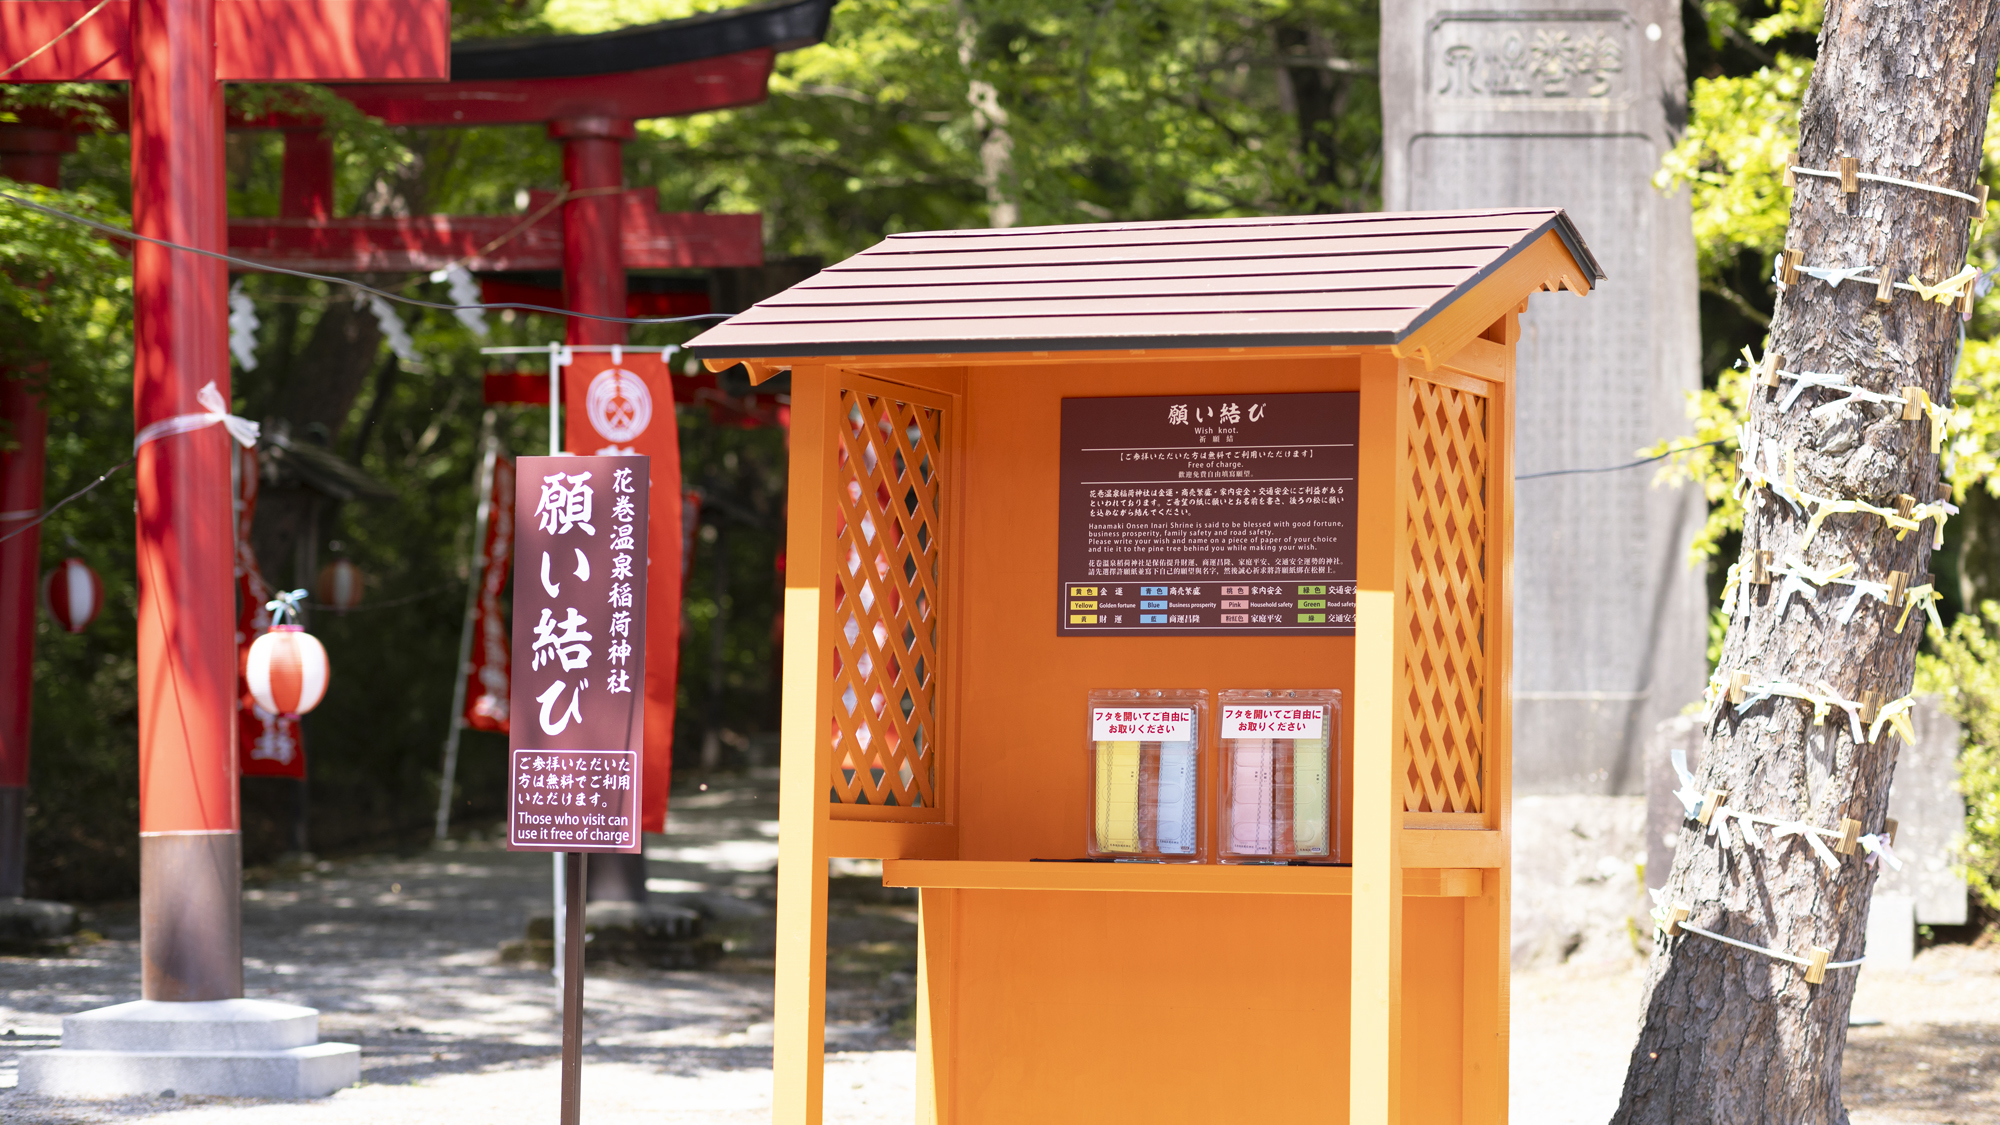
pixel 1735 1036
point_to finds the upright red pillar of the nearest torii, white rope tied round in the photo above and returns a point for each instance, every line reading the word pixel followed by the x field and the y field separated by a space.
pixel 191 844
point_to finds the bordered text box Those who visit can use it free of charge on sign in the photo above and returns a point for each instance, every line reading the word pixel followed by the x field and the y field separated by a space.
pixel 575 802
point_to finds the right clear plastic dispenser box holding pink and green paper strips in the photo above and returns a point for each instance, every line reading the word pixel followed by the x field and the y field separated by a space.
pixel 1281 768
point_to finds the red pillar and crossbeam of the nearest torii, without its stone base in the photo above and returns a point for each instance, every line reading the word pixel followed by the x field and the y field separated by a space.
pixel 177 55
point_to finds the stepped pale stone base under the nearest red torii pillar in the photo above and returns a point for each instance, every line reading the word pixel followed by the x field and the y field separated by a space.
pixel 213 1048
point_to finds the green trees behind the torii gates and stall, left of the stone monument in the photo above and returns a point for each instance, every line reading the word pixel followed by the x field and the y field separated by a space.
pixel 1105 111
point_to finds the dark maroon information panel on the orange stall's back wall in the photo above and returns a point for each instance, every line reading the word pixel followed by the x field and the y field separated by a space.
pixel 1209 513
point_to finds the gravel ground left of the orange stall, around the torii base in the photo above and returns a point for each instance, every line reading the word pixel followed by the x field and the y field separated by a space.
pixel 401 956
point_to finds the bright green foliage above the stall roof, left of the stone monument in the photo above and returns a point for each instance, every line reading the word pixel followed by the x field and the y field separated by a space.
pixel 1115 111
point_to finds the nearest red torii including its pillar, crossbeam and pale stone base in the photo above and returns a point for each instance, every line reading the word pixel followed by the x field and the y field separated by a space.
pixel 193 1032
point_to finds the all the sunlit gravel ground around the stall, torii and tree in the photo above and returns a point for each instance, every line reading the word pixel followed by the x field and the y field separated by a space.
pixel 401 956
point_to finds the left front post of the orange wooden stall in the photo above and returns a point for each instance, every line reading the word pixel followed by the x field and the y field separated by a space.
pixel 799 1026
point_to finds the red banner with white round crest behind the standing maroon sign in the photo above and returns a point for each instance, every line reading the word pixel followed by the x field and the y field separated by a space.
pixel 627 407
